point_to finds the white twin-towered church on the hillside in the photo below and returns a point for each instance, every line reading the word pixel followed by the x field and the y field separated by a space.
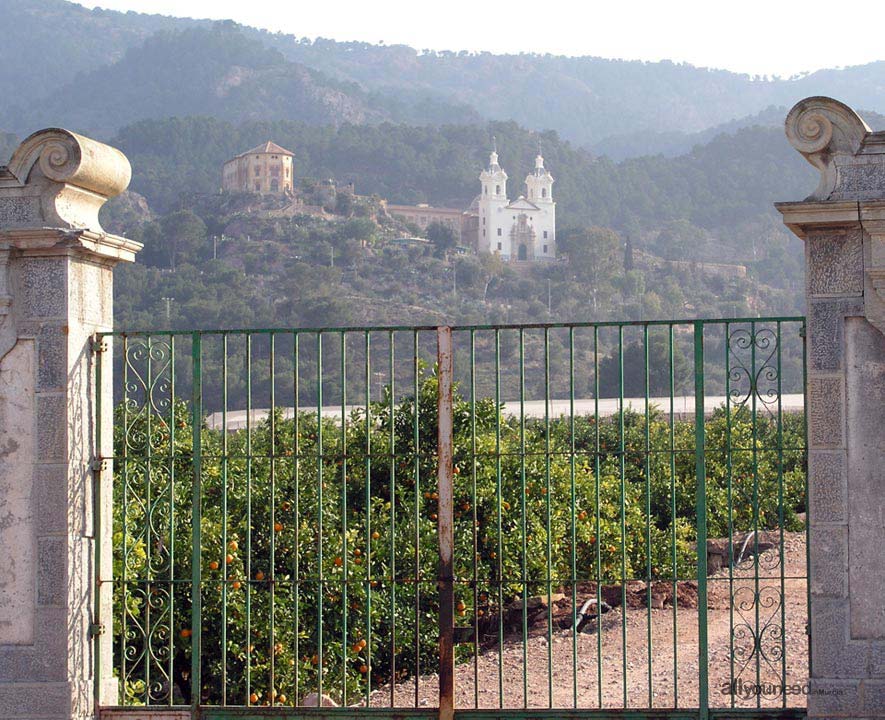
pixel 521 230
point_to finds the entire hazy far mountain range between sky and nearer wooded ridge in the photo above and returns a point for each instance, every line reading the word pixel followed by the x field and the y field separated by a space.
pixel 59 53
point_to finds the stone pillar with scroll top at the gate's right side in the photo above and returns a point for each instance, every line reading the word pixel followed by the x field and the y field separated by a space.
pixel 843 225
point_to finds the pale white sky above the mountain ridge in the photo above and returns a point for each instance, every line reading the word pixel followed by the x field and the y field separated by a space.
pixel 770 37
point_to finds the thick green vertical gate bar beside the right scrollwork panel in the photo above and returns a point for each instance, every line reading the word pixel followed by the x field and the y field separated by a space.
pixel 701 510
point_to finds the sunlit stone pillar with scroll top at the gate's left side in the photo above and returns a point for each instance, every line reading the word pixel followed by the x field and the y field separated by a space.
pixel 55 293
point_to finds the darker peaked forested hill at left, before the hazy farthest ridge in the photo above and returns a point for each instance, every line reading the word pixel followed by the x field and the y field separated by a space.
pixel 217 71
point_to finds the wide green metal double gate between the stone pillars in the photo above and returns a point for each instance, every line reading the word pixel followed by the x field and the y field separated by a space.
pixel 594 520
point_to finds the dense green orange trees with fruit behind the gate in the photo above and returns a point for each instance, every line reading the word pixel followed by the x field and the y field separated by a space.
pixel 310 527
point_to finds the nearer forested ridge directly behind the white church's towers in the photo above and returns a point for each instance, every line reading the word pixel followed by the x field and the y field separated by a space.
pixel 722 187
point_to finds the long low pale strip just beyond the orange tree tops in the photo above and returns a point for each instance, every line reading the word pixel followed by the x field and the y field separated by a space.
pixel 683 407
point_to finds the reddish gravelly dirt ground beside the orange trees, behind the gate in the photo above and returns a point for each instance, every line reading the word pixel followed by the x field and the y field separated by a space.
pixel 524 673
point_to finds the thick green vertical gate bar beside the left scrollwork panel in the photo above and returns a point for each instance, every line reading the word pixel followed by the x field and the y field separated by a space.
pixel 196 518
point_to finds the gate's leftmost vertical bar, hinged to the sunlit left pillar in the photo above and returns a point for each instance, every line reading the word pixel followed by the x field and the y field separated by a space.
pixel 97 529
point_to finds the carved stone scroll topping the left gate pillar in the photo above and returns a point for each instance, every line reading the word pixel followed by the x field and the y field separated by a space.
pixel 59 179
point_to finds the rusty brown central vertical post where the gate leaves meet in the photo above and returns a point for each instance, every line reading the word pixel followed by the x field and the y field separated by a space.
pixel 445 527
